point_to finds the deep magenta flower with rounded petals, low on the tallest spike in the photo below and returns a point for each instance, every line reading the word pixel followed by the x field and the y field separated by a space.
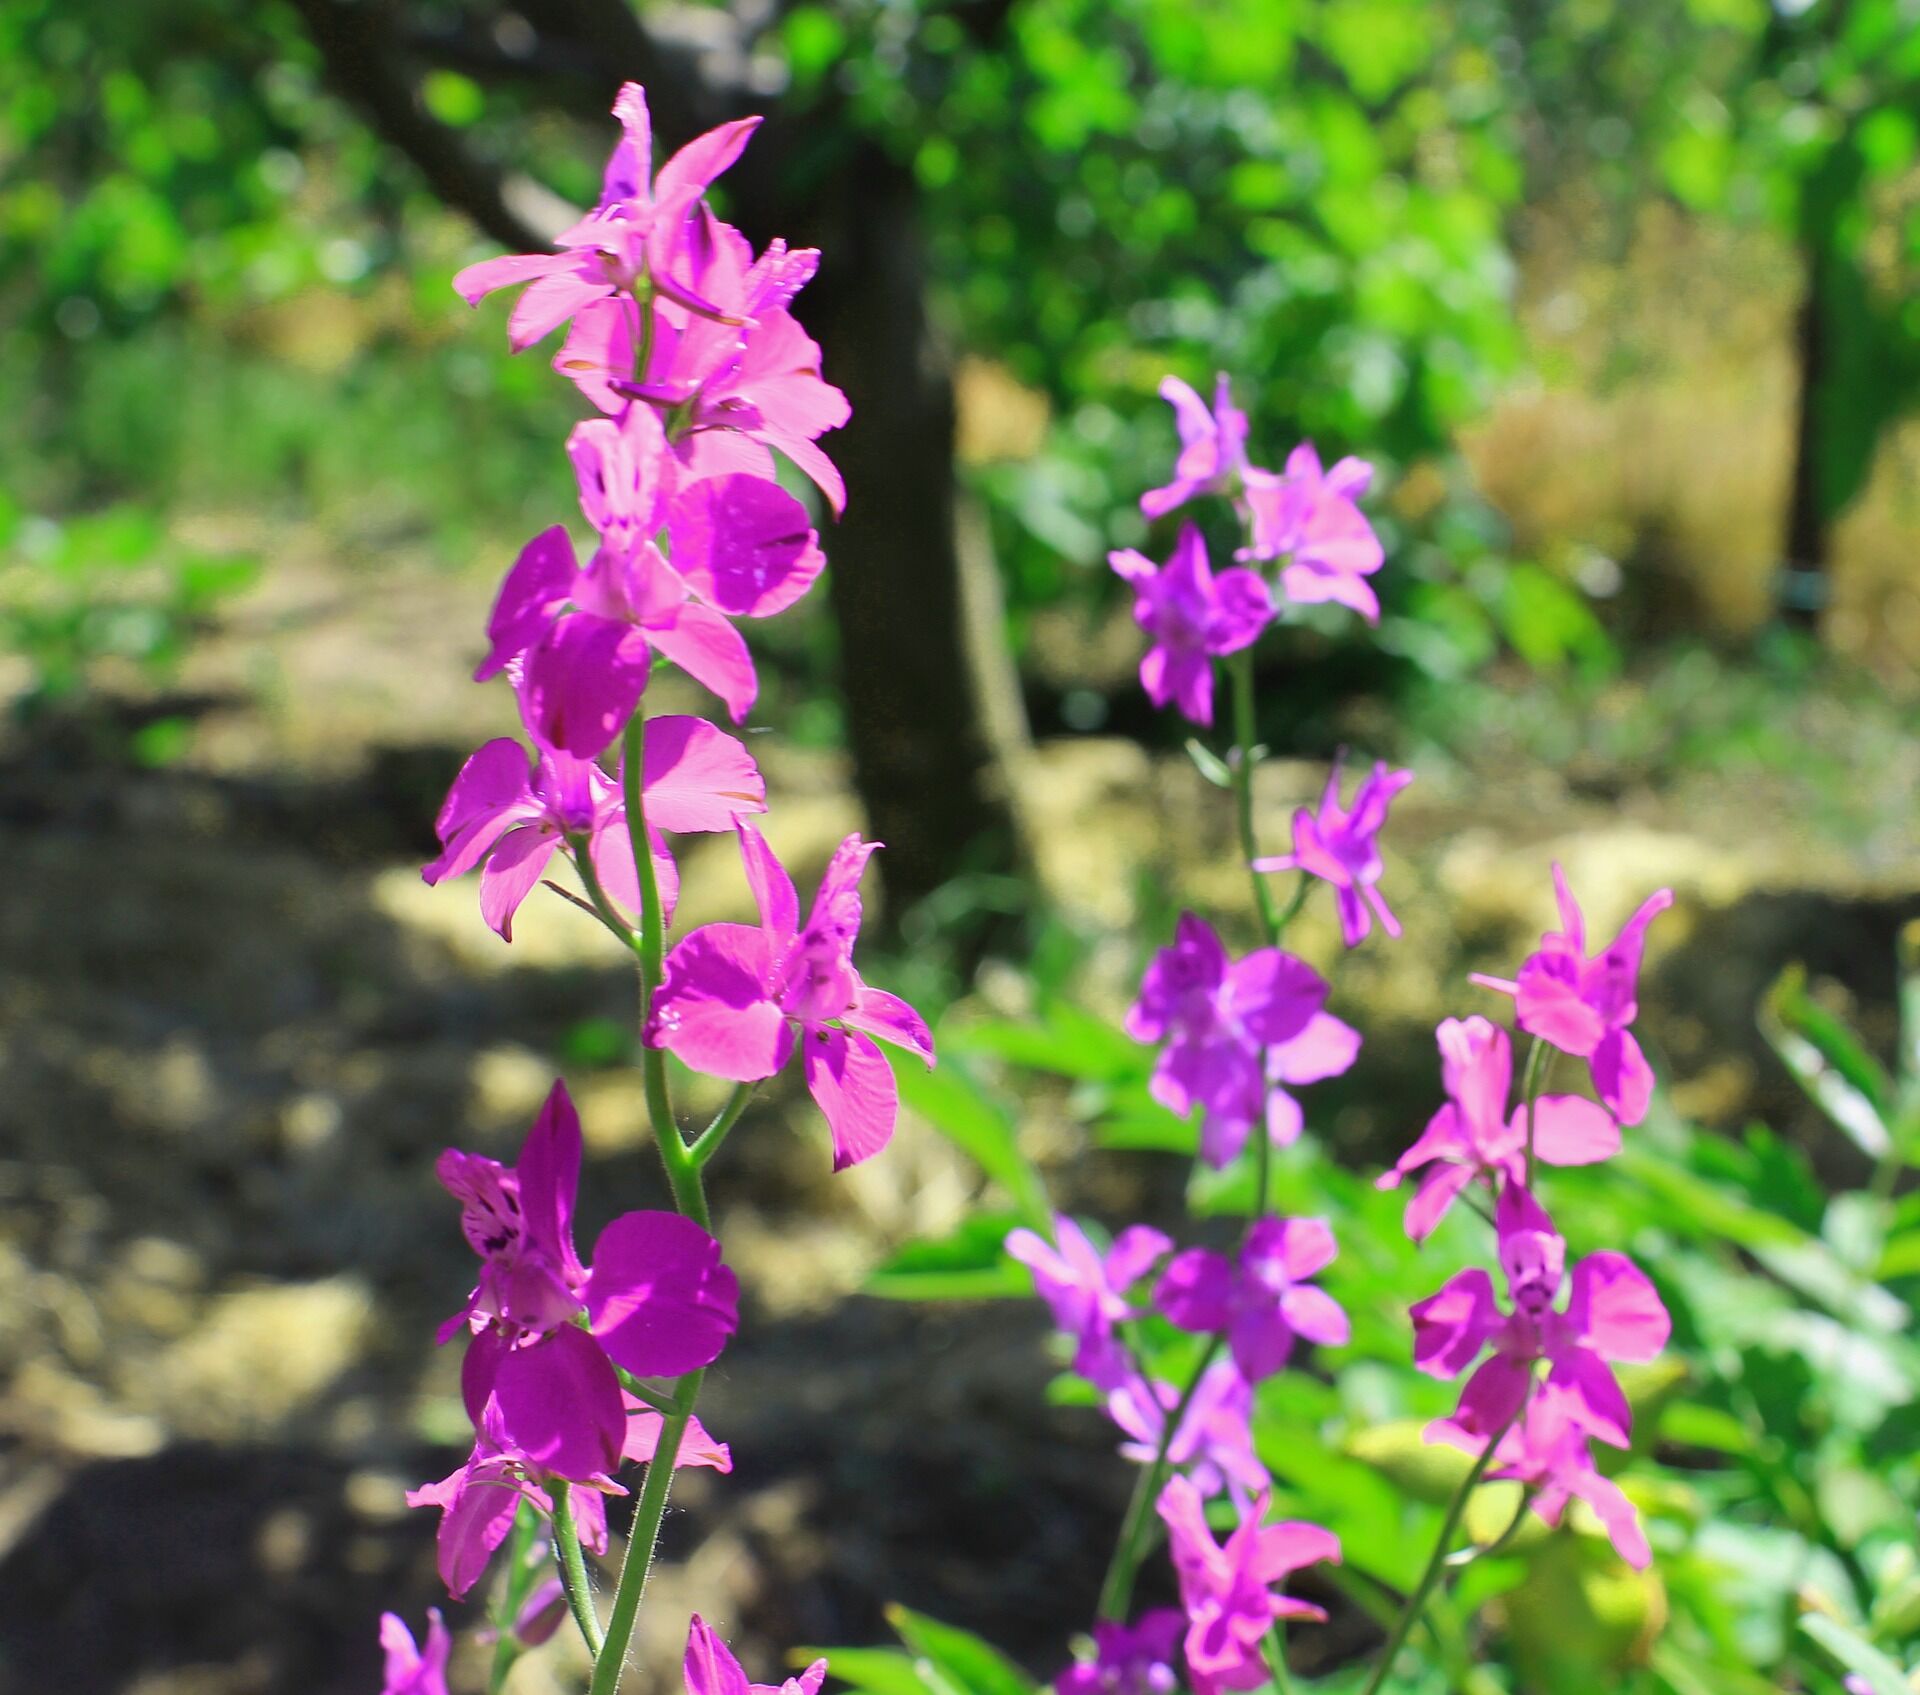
pixel 658 1301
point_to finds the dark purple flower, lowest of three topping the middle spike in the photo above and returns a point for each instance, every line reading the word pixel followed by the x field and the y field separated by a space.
pixel 1193 617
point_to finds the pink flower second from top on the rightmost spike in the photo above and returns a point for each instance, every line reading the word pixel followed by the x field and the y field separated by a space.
pixel 1474 1135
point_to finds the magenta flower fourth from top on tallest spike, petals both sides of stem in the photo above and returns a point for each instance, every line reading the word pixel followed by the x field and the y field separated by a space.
pixel 696 778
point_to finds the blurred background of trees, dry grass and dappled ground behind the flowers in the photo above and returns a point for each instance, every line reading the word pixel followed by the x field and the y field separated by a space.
pixel 1620 298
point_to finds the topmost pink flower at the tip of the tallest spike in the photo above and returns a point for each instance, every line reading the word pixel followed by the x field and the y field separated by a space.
pixel 635 241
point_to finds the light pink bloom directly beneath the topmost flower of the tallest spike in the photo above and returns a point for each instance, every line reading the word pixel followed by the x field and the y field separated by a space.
pixel 727 391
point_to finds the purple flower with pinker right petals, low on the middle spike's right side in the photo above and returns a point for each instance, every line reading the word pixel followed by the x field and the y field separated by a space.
pixel 1262 1302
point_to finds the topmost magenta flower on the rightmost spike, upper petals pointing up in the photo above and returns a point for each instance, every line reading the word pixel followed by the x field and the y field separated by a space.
pixel 1585 1007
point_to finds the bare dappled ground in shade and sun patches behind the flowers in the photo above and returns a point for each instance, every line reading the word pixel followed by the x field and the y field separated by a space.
pixel 235 1030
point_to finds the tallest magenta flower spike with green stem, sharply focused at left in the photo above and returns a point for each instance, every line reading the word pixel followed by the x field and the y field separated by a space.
pixel 577 1368
